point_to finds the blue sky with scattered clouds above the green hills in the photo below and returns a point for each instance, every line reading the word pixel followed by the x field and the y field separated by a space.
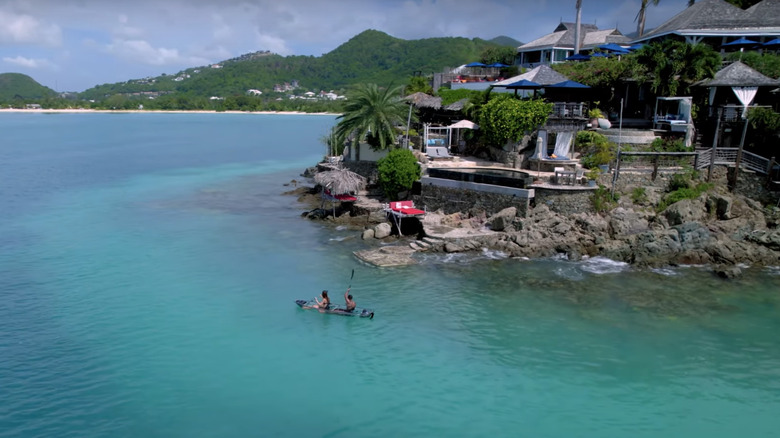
pixel 72 45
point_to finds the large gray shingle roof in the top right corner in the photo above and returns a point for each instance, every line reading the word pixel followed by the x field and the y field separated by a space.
pixel 719 16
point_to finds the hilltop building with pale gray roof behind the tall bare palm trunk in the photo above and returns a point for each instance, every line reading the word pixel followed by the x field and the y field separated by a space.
pixel 558 45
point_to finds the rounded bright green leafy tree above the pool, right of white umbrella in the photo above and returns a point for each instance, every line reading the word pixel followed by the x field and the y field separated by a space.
pixel 505 118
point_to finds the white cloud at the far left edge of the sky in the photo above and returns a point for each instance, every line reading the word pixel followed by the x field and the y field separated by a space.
pixel 26 29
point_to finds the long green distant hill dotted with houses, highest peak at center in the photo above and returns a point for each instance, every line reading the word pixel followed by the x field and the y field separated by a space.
pixel 371 56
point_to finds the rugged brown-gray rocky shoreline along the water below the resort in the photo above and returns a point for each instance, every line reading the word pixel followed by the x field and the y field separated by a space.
pixel 721 229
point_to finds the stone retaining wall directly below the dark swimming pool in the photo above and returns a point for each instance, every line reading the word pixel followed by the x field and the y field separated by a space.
pixel 451 200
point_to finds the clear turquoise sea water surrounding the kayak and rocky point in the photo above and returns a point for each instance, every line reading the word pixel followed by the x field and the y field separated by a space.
pixel 148 270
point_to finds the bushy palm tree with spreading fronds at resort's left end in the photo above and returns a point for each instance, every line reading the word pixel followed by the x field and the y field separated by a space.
pixel 373 113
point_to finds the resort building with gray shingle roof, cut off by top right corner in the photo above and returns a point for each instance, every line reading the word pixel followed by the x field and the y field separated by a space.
pixel 717 23
